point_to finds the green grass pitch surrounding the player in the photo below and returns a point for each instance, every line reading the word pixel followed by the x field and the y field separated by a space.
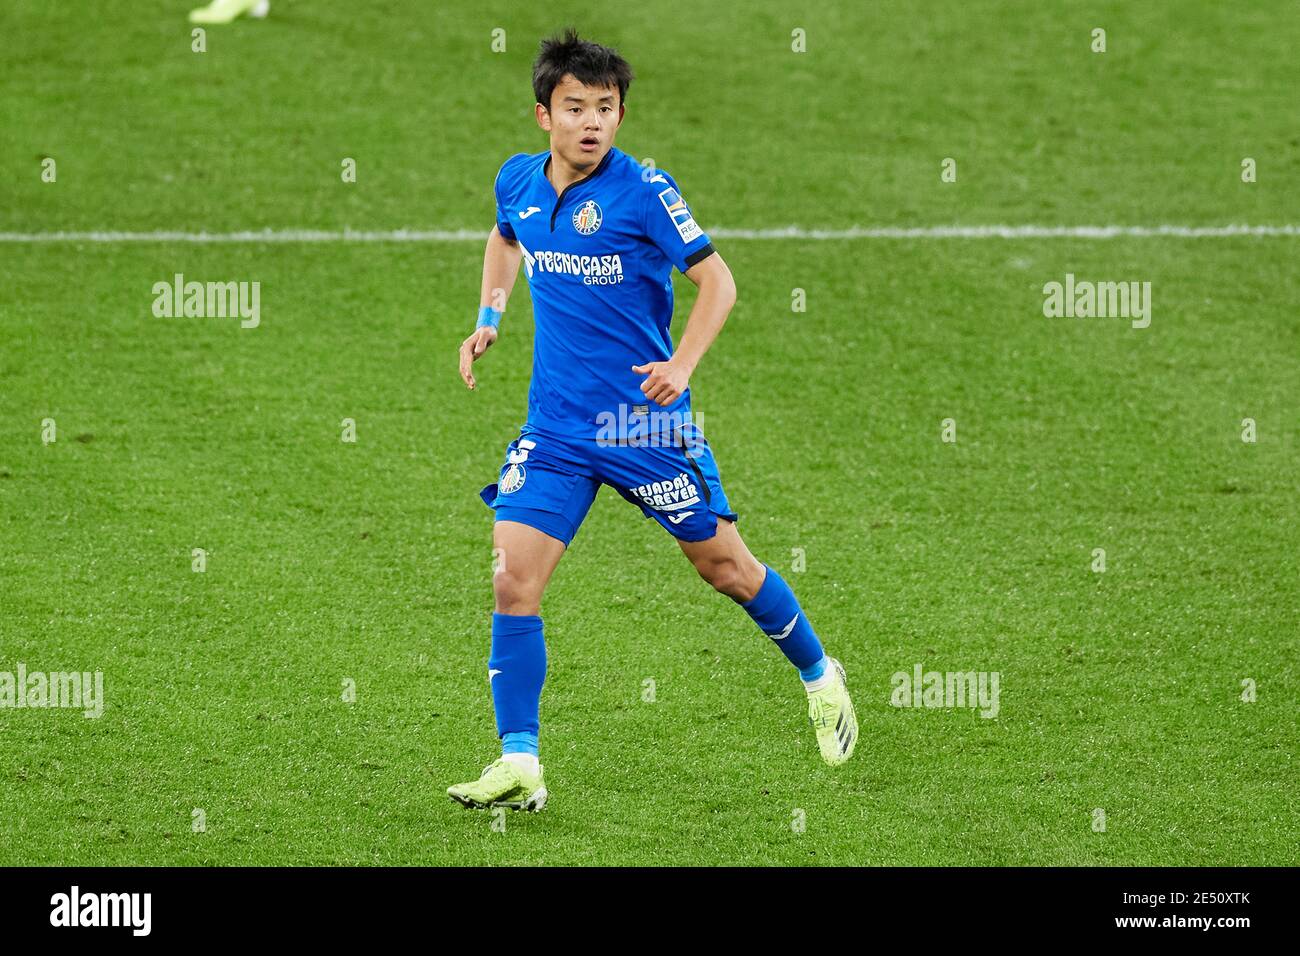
pixel 371 563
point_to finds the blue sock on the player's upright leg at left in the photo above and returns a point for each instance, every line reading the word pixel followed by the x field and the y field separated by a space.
pixel 517 671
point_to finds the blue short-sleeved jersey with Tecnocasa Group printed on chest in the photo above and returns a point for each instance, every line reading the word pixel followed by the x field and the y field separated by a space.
pixel 600 262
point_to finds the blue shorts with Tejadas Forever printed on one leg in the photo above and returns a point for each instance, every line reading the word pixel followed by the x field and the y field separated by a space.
pixel 549 483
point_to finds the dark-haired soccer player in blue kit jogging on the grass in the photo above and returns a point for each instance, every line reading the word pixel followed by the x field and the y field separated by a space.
pixel 600 236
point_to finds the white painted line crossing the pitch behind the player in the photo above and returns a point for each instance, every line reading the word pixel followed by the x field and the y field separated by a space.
pixel 991 232
